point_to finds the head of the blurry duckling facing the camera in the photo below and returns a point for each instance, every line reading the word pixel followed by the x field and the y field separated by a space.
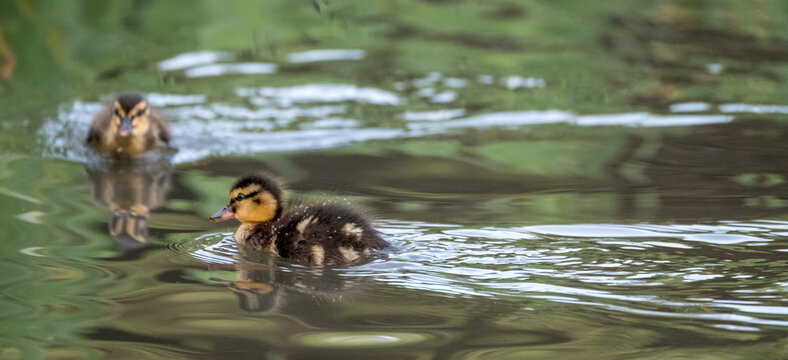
pixel 130 113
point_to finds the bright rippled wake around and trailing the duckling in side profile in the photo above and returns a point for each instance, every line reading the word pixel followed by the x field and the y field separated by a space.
pixel 585 264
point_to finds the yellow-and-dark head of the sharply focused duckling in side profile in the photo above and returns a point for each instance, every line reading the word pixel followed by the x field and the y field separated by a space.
pixel 254 198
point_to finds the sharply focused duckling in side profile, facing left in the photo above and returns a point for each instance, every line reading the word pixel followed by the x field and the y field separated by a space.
pixel 328 234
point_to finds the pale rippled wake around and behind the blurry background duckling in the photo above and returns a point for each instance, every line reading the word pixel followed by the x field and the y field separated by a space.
pixel 309 117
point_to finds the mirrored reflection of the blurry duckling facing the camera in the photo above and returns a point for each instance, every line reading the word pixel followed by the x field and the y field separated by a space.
pixel 130 191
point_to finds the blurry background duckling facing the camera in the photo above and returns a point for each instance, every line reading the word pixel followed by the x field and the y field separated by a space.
pixel 128 127
